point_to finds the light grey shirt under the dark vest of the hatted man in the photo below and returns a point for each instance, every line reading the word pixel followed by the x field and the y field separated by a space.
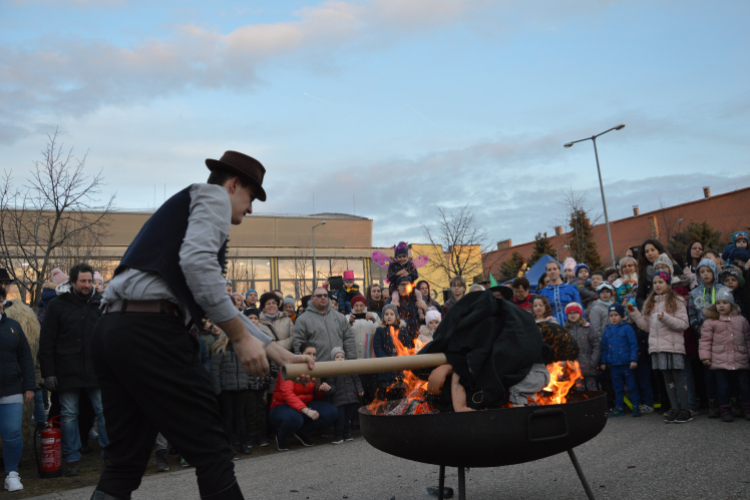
pixel 208 227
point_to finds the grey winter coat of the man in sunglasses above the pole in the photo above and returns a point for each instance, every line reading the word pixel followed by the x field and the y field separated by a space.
pixel 326 331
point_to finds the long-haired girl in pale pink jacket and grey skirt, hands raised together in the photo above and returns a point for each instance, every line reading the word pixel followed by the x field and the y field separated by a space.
pixel 665 319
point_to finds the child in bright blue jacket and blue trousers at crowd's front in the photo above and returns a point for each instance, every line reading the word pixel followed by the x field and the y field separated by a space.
pixel 620 352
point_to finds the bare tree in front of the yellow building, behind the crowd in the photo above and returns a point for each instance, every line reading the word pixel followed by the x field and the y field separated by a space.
pixel 462 241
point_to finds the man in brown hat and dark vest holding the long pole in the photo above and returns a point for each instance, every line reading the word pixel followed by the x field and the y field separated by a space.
pixel 146 360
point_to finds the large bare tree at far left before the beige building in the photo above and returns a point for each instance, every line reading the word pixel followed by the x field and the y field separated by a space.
pixel 53 217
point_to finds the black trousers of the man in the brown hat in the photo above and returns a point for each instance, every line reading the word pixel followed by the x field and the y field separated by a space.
pixel 152 381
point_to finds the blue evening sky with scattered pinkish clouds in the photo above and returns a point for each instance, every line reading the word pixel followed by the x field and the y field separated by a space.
pixel 388 108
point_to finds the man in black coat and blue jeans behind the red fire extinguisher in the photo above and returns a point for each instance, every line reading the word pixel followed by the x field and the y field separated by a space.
pixel 65 358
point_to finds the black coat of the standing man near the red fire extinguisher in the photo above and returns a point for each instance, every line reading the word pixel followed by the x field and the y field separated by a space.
pixel 67 332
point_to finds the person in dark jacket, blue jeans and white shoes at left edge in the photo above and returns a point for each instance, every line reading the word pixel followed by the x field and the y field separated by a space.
pixel 16 388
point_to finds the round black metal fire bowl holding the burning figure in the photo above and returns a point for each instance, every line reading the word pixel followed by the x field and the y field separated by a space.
pixel 489 438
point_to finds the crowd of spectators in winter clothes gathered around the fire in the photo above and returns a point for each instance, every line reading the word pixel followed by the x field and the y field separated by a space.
pixel 671 330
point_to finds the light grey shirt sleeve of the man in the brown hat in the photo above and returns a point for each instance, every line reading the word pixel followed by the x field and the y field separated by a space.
pixel 208 228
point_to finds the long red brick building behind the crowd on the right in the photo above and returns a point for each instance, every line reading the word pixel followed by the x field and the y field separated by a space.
pixel 726 212
